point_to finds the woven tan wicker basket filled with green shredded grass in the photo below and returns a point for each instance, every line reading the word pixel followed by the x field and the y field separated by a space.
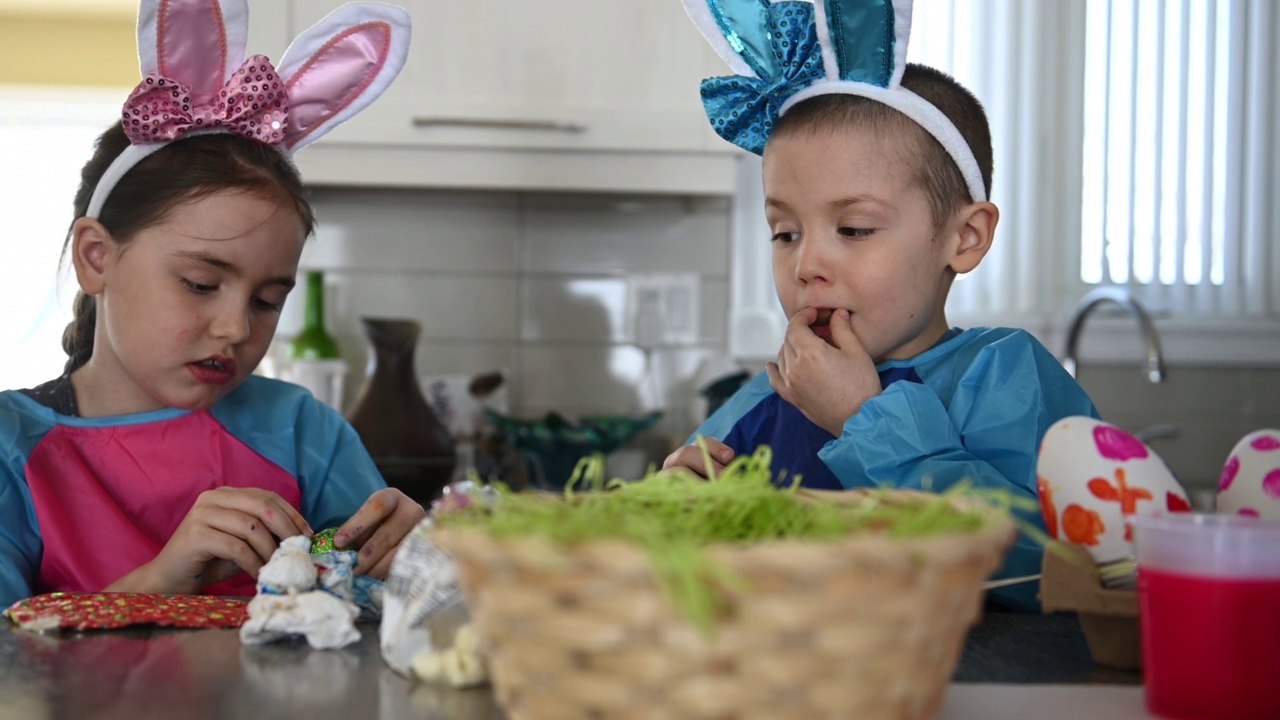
pixel 866 627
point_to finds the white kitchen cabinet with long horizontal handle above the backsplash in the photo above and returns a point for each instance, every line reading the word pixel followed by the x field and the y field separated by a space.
pixel 555 95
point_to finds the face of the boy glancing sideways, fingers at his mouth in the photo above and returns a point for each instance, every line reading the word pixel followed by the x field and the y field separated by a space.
pixel 851 230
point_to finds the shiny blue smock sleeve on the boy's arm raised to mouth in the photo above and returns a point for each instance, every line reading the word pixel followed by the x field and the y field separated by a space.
pixel 988 435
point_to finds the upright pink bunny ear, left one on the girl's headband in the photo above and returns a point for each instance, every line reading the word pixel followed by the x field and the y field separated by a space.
pixel 196 43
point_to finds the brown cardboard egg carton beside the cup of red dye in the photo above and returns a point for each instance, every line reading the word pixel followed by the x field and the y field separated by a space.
pixel 1109 617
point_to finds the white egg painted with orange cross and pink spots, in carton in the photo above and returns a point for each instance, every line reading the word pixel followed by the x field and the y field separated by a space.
pixel 1092 477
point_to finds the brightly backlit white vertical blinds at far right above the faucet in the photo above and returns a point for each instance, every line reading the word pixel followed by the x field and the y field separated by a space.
pixel 1181 160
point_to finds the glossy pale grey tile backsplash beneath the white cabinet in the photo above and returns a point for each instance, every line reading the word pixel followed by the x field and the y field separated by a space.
pixel 532 285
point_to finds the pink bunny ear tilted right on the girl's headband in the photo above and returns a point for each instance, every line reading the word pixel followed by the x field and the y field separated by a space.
pixel 340 66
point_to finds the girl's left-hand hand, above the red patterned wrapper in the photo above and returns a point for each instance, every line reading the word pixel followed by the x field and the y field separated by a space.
pixel 227 531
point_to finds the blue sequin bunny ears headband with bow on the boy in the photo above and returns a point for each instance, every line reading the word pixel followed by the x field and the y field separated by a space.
pixel 784 52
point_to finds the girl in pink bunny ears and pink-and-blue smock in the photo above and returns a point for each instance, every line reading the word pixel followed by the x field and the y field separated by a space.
pixel 158 463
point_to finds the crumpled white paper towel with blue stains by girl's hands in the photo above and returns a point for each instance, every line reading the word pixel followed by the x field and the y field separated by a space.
pixel 290 601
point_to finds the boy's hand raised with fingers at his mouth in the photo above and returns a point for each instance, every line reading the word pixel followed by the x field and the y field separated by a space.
pixel 828 384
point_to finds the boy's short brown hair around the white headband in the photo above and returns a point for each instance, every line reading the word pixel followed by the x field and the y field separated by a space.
pixel 935 170
